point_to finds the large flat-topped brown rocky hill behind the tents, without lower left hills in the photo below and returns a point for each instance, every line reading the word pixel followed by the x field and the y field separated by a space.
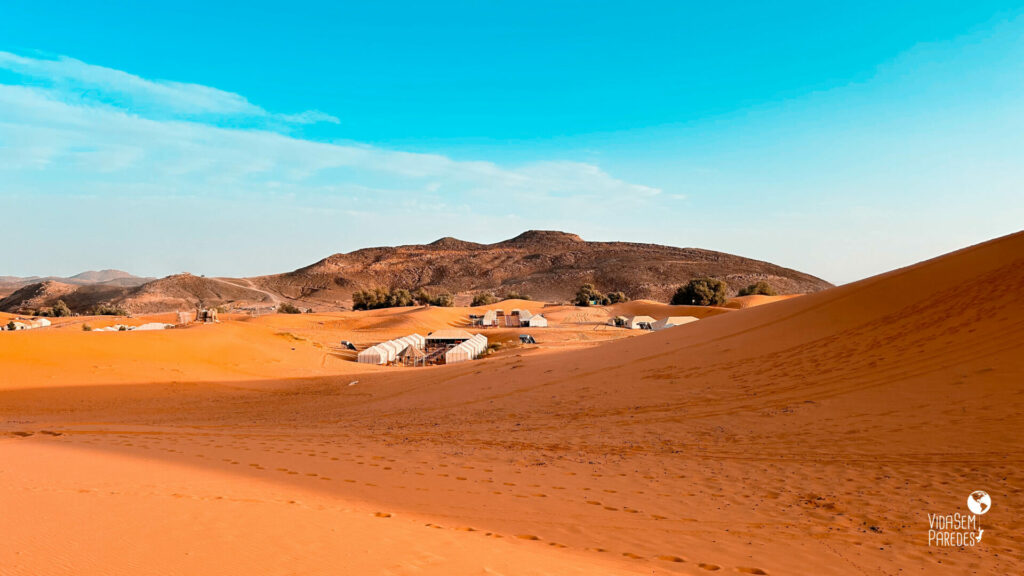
pixel 544 265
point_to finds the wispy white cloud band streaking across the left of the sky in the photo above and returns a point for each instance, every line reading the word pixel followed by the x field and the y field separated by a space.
pixel 93 143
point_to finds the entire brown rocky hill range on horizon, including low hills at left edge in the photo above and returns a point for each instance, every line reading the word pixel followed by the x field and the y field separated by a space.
pixel 543 265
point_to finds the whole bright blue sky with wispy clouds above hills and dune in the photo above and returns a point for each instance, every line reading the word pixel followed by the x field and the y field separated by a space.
pixel 244 140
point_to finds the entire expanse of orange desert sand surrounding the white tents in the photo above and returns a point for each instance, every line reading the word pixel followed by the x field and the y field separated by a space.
pixel 803 436
